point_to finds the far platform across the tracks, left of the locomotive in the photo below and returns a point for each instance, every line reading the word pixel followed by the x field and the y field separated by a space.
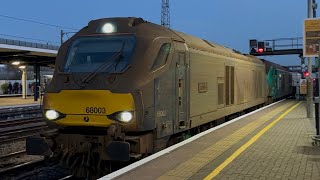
pixel 17 101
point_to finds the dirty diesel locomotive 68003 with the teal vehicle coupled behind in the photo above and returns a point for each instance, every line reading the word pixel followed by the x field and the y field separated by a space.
pixel 124 88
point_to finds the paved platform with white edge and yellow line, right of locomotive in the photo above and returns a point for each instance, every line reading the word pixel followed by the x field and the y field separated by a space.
pixel 273 142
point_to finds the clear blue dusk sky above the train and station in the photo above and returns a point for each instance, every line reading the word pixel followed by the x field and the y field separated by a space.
pixel 227 22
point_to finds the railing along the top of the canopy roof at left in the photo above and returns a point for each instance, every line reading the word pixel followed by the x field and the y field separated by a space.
pixel 28 44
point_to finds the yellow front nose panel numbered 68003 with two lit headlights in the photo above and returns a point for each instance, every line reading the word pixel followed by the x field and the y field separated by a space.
pixel 99 108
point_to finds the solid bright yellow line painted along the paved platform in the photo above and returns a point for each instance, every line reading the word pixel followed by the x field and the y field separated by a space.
pixel 215 172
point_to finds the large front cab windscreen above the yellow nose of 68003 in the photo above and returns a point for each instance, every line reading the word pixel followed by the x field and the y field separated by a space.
pixel 108 54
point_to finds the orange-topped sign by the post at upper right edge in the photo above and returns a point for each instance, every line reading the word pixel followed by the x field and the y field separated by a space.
pixel 311 37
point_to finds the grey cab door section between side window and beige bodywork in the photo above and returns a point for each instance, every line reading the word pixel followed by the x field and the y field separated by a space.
pixel 171 94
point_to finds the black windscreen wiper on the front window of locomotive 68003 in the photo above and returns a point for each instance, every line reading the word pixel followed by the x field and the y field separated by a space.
pixel 115 58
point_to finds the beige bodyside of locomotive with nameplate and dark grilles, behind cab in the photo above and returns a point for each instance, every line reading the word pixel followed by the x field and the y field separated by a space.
pixel 233 85
